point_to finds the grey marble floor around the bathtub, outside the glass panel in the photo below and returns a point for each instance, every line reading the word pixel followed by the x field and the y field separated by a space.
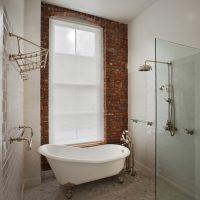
pixel 140 187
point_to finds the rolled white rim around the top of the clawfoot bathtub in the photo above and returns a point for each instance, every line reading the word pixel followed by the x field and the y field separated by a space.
pixel 41 150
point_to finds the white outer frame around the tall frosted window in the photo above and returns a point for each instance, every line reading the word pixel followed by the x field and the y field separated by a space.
pixel 56 21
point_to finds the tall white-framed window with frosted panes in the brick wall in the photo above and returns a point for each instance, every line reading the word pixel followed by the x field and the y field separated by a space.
pixel 76 85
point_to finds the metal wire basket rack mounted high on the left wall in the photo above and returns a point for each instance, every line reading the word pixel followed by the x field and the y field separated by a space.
pixel 28 61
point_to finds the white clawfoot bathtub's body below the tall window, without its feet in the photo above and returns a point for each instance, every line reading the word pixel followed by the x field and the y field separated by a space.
pixel 73 165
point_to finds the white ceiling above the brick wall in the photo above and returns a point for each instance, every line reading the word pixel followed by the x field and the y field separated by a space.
pixel 117 10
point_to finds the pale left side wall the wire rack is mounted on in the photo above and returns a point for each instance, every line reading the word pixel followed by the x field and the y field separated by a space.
pixel 12 168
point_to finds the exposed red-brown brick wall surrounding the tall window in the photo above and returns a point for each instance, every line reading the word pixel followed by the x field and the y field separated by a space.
pixel 115 72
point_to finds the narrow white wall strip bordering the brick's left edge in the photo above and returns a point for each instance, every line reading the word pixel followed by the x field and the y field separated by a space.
pixel 32 94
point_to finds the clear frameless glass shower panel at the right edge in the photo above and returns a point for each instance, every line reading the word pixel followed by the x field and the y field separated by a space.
pixel 178 122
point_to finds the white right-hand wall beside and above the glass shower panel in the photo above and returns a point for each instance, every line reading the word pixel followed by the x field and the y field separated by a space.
pixel 173 20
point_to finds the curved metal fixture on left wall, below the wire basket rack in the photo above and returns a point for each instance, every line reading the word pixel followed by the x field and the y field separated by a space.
pixel 22 138
